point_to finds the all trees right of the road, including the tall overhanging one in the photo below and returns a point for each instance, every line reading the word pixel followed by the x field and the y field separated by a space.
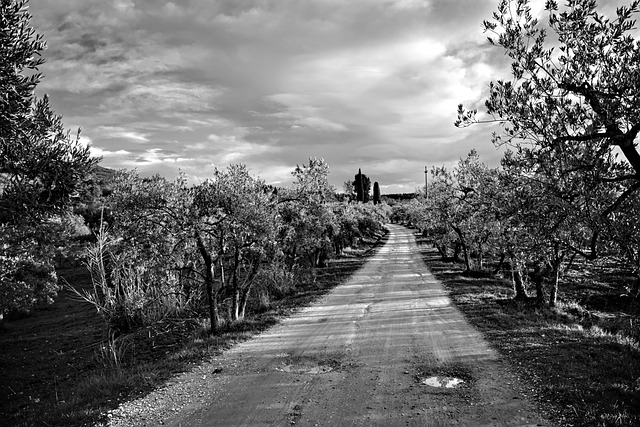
pixel 569 184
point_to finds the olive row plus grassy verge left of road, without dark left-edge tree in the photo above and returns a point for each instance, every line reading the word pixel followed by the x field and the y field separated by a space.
pixel 163 274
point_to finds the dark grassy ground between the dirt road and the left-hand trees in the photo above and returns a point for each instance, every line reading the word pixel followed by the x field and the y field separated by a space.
pixel 59 368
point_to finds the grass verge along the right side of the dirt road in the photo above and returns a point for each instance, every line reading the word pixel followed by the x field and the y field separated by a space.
pixel 581 358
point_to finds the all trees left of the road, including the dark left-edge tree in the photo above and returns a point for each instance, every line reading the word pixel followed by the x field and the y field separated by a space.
pixel 167 245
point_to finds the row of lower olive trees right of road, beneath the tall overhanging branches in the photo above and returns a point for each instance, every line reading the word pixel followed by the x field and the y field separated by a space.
pixel 535 224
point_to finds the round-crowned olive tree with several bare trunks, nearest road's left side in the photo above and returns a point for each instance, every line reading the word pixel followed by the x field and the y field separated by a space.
pixel 234 221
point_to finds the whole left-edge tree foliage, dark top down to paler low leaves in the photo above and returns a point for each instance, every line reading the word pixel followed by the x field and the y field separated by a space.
pixel 42 167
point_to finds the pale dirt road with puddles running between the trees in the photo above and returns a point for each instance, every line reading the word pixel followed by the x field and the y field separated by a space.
pixel 363 355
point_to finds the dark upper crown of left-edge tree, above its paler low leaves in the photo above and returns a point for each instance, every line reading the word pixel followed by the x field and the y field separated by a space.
pixel 41 164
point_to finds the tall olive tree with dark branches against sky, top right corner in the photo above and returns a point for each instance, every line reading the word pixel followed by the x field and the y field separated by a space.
pixel 573 101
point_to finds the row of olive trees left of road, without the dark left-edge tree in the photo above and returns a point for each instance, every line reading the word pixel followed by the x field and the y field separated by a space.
pixel 172 248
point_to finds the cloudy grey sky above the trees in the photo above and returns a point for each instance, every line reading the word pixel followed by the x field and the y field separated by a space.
pixel 188 85
